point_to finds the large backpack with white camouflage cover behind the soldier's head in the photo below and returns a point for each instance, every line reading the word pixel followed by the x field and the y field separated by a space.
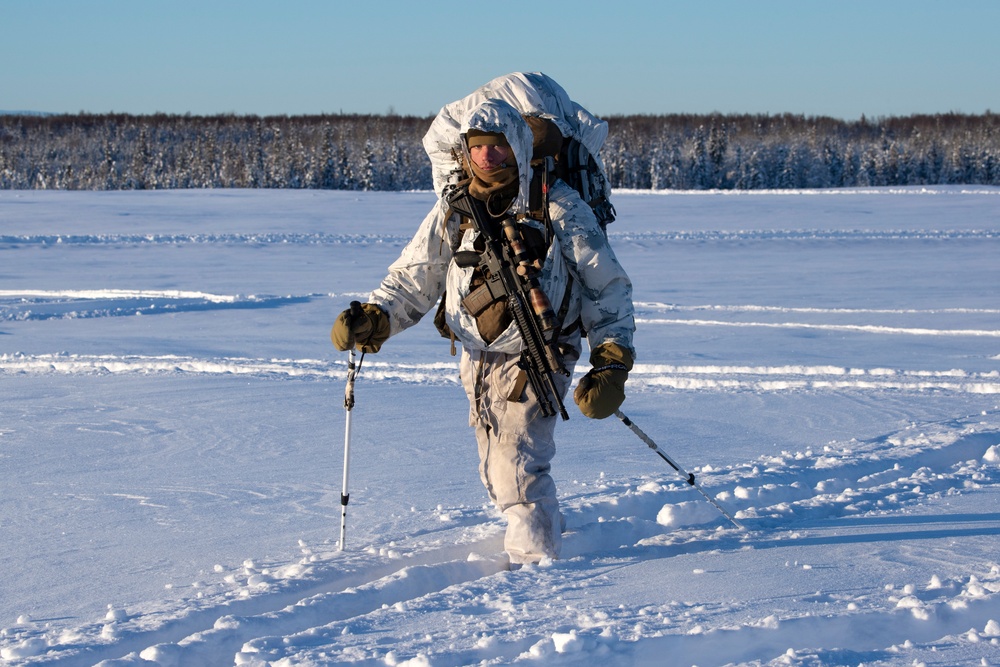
pixel 539 98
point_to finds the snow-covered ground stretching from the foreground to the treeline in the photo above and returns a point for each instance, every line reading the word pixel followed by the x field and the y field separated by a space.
pixel 172 431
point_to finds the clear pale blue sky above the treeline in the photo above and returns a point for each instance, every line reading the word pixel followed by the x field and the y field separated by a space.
pixel 841 58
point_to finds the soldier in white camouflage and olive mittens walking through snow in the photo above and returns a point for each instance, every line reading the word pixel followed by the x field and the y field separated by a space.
pixel 579 272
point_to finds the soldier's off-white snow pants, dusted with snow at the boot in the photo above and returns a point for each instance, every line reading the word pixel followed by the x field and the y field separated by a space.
pixel 516 446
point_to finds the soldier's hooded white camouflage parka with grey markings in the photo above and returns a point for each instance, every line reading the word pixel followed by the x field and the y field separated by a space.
pixel 601 292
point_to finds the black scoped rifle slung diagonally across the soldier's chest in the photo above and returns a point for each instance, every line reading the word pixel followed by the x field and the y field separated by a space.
pixel 512 273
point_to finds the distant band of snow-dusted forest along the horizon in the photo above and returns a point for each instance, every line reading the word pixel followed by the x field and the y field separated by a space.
pixel 357 152
